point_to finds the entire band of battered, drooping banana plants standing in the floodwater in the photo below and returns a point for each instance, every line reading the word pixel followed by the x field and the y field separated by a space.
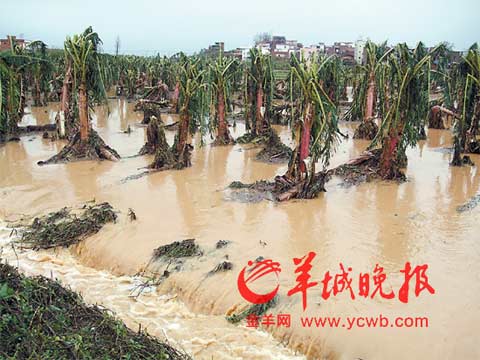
pixel 391 88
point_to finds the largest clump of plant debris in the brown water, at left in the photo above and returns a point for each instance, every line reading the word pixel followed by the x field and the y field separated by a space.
pixel 65 228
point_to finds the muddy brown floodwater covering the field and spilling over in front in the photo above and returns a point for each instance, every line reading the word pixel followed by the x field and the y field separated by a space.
pixel 374 223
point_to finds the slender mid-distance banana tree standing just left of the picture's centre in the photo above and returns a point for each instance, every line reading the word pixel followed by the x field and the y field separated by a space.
pixel 221 74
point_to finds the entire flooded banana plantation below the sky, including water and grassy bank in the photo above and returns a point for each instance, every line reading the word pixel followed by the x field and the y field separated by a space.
pixel 229 205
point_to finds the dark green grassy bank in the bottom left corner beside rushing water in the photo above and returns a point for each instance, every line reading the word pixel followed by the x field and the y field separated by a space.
pixel 40 319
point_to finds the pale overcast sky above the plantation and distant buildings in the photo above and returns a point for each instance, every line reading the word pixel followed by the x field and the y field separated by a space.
pixel 146 27
